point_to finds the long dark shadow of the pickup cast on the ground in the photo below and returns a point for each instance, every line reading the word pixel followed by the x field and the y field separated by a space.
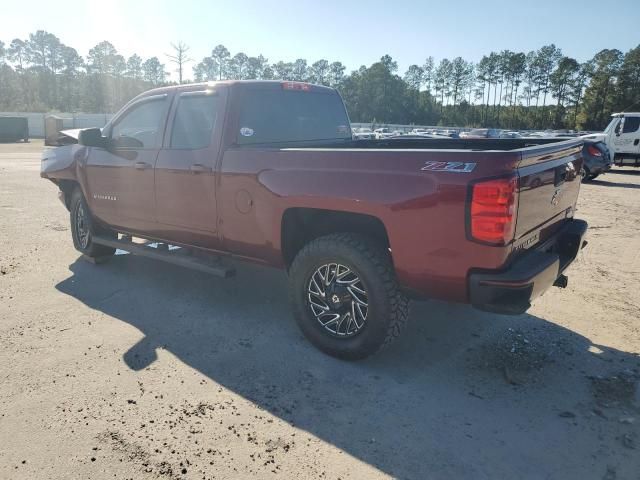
pixel 462 394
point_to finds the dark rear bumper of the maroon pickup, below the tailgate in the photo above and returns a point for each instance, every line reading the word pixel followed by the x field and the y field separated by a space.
pixel 511 291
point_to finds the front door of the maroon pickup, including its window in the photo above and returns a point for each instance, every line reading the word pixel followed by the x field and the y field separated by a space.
pixel 120 178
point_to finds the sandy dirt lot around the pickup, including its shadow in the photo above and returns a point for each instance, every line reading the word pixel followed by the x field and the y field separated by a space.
pixel 141 370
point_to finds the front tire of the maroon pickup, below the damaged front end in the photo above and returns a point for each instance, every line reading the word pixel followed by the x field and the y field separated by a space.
pixel 83 228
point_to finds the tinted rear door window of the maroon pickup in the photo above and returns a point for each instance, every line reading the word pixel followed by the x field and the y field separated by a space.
pixel 194 121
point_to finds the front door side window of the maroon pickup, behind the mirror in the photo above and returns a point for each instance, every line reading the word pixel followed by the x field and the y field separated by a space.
pixel 141 126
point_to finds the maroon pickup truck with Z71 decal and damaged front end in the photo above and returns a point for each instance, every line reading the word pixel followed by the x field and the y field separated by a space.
pixel 269 172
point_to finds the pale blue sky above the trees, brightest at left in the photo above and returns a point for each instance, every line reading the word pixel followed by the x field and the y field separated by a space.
pixel 353 32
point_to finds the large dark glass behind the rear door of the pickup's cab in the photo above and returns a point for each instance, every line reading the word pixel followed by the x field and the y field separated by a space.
pixel 277 116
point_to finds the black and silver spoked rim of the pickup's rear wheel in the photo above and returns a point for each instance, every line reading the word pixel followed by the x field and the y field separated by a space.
pixel 338 299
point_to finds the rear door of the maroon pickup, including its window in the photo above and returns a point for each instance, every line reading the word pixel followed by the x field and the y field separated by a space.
pixel 186 169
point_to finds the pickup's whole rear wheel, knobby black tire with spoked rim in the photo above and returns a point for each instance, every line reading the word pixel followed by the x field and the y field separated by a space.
pixel 345 296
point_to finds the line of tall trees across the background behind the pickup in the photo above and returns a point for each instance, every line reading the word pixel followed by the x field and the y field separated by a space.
pixel 533 90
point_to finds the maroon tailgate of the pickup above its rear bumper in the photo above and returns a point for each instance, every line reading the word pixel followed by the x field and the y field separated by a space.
pixel 549 186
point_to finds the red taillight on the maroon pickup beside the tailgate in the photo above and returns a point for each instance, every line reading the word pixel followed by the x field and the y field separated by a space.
pixel 493 210
